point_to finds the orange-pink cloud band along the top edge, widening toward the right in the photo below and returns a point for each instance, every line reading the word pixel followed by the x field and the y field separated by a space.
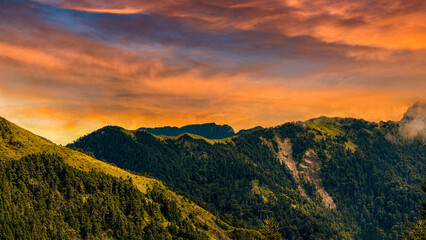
pixel 387 24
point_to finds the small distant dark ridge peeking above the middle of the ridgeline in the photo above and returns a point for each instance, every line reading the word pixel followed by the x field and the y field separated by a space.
pixel 207 130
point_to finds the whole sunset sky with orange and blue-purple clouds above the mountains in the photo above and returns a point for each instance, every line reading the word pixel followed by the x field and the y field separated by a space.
pixel 69 67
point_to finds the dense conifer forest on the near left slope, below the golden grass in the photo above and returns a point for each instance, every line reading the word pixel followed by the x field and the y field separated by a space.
pixel 43 198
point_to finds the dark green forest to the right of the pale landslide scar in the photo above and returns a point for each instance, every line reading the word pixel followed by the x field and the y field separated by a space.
pixel 378 182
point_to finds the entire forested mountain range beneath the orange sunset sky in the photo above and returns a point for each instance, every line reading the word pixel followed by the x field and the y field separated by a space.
pixel 325 178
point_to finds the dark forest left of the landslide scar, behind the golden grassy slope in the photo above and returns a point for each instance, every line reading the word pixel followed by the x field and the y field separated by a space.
pixel 243 185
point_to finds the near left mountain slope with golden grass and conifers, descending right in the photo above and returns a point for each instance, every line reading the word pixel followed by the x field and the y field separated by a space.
pixel 53 192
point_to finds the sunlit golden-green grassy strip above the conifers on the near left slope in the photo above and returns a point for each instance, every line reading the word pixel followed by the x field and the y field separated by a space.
pixel 16 142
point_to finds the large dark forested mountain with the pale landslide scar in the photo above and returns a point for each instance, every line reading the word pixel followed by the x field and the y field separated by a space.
pixel 325 178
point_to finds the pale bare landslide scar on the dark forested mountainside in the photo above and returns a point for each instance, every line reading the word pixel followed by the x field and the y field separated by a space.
pixel 311 168
